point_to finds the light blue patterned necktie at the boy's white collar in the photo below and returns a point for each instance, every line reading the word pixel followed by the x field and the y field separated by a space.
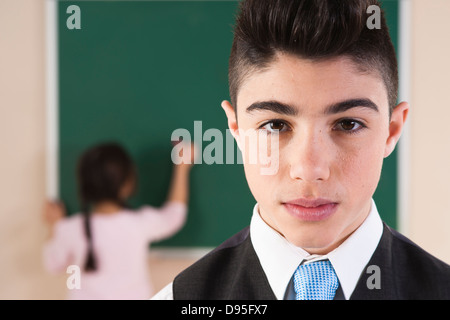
pixel 315 281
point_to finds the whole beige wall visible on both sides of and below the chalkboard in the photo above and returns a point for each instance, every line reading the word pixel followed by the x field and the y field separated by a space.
pixel 22 141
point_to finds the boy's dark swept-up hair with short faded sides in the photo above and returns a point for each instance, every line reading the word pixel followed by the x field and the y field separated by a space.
pixel 311 29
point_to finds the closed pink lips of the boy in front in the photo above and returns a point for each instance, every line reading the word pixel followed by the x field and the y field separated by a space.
pixel 311 209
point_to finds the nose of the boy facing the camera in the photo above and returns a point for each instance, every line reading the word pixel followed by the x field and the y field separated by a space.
pixel 309 157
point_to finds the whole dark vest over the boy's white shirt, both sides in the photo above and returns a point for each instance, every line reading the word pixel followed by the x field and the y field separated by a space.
pixel 233 272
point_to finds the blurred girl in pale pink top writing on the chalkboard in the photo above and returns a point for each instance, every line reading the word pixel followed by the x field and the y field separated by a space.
pixel 108 241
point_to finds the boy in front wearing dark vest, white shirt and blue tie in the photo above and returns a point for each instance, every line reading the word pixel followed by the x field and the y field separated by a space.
pixel 313 74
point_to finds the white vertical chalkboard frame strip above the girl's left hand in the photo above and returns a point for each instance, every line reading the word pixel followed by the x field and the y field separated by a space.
pixel 52 97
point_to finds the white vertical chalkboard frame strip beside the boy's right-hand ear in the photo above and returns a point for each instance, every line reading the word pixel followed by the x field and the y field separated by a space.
pixel 404 153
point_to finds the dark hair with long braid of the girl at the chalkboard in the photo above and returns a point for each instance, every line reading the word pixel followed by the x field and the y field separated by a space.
pixel 102 172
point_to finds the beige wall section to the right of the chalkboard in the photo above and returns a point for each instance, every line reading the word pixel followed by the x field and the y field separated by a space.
pixel 430 129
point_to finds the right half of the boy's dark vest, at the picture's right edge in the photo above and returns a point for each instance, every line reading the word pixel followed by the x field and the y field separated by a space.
pixel 407 271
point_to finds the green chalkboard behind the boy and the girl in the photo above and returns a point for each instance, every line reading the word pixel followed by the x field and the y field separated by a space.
pixel 138 70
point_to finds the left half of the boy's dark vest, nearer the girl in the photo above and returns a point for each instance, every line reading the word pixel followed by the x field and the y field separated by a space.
pixel 230 272
